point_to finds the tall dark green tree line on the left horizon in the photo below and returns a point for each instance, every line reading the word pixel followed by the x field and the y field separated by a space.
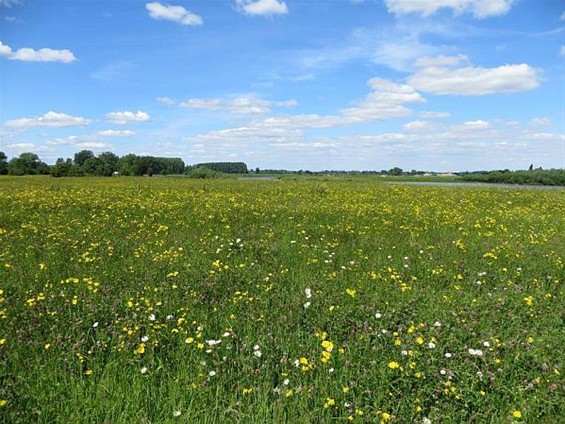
pixel 107 164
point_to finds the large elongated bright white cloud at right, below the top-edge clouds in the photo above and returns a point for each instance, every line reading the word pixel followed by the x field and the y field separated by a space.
pixel 475 81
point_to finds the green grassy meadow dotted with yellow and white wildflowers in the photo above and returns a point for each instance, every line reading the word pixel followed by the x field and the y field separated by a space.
pixel 148 300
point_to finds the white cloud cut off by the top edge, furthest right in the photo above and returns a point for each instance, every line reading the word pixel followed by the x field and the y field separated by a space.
pixel 480 9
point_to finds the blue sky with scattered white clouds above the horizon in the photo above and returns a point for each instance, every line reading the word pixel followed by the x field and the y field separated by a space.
pixel 444 85
